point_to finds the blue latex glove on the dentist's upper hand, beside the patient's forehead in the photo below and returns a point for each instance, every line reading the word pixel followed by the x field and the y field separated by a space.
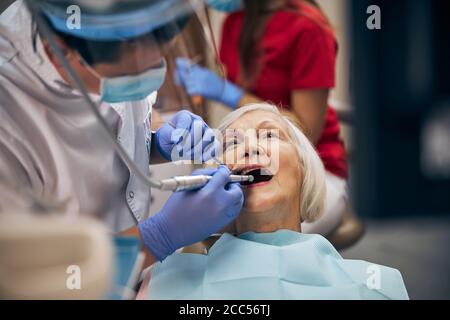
pixel 187 137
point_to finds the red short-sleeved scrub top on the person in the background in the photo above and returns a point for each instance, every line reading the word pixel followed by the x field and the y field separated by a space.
pixel 299 52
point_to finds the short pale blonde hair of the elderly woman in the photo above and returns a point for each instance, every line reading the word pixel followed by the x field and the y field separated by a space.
pixel 313 188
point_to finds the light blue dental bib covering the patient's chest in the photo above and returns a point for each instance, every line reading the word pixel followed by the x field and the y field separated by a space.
pixel 279 265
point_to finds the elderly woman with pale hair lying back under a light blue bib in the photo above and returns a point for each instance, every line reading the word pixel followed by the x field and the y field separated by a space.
pixel 267 256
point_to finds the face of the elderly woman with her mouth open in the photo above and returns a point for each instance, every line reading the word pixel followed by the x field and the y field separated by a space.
pixel 260 140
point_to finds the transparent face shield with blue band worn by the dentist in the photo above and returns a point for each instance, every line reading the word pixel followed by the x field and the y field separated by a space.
pixel 126 50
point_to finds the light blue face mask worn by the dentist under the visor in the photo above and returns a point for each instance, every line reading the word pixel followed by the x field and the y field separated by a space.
pixel 133 87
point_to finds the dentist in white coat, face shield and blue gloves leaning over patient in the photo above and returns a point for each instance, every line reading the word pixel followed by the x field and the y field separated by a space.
pixel 51 144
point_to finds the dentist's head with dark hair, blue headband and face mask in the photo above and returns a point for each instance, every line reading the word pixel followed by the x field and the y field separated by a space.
pixel 117 54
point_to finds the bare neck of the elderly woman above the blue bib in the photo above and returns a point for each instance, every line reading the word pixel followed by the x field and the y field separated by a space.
pixel 285 216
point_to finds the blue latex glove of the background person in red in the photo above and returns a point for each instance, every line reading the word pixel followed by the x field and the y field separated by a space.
pixel 200 81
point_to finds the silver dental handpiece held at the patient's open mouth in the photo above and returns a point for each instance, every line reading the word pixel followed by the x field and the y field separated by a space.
pixel 185 183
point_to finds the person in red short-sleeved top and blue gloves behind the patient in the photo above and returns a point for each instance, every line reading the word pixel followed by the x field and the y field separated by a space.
pixel 282 51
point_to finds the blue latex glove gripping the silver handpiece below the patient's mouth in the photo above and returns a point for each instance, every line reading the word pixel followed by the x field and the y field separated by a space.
pixel 192 216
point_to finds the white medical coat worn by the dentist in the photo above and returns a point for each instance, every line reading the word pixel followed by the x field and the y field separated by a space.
pixel 53 146
